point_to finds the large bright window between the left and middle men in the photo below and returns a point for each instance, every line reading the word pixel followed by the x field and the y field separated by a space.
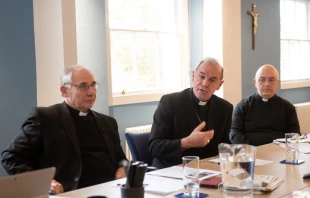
pixel 148 47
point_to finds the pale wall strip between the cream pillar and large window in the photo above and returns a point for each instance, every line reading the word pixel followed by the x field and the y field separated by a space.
pixel 91 45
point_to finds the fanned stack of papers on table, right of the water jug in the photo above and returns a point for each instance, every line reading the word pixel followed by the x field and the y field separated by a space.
pixel 266 182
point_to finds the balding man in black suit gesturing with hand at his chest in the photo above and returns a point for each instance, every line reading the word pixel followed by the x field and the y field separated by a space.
pixel 193 121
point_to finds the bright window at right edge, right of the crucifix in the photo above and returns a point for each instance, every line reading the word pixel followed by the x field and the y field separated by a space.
pixel 295 40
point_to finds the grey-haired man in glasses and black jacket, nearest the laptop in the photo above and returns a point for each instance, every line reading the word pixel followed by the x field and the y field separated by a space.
pixel 82 144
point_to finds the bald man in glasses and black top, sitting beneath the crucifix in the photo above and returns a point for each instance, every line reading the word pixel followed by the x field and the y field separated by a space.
pixel 263 117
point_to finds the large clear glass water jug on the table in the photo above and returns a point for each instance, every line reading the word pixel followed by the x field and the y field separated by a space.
pixel 237 163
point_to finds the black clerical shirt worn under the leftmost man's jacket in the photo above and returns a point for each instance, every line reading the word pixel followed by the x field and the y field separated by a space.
pixel 97 166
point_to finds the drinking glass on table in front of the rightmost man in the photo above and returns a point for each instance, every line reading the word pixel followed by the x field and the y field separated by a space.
pixel 291 141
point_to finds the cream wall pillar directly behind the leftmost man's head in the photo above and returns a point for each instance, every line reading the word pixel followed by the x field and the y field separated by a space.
pixel 55 46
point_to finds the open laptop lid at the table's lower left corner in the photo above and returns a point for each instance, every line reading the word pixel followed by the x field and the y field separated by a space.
pixel 25 185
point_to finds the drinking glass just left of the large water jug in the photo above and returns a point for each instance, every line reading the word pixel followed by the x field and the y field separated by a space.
pixel 191 176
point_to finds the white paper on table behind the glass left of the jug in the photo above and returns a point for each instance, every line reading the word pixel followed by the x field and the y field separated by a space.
pixel 176 173
